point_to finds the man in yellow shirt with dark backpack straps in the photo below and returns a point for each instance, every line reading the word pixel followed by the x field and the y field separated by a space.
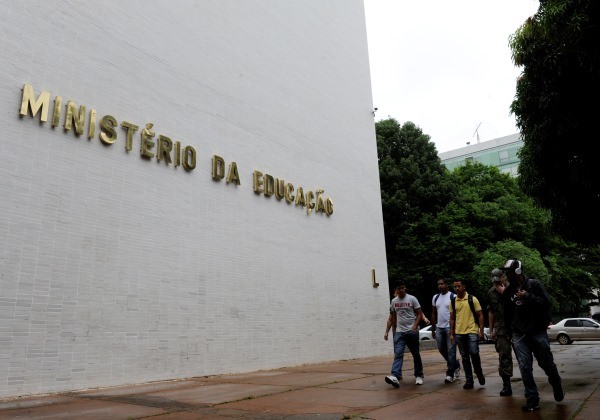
pixel 466 330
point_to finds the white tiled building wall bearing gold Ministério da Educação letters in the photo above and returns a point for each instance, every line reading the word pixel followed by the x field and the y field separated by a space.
pixel 116 269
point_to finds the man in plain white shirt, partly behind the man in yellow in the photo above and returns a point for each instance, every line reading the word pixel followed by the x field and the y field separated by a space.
pixel 440 329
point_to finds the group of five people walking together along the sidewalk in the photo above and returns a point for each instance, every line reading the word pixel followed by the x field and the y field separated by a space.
pixel 518 315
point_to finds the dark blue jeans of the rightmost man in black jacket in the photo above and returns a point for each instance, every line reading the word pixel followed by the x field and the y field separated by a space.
pixel 534 345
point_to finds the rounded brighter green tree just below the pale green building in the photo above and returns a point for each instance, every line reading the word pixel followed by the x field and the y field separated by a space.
pixel 487 207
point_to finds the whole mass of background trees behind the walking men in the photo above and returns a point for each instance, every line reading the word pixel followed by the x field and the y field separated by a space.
pixel 464 223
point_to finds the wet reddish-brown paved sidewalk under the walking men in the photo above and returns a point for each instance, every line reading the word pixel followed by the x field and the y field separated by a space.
pixel 349 389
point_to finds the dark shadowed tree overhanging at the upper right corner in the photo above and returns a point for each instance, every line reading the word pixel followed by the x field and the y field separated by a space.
pixel 556 108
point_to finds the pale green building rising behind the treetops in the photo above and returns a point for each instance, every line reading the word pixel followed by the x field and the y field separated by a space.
pixel 500 152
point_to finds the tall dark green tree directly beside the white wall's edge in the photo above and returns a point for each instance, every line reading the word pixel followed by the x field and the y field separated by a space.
pixel 414 187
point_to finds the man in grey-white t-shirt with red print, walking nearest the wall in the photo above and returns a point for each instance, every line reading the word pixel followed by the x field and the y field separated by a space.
pixel 405 315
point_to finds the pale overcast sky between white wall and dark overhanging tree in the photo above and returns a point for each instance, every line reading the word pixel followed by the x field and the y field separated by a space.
pixel 446 65
